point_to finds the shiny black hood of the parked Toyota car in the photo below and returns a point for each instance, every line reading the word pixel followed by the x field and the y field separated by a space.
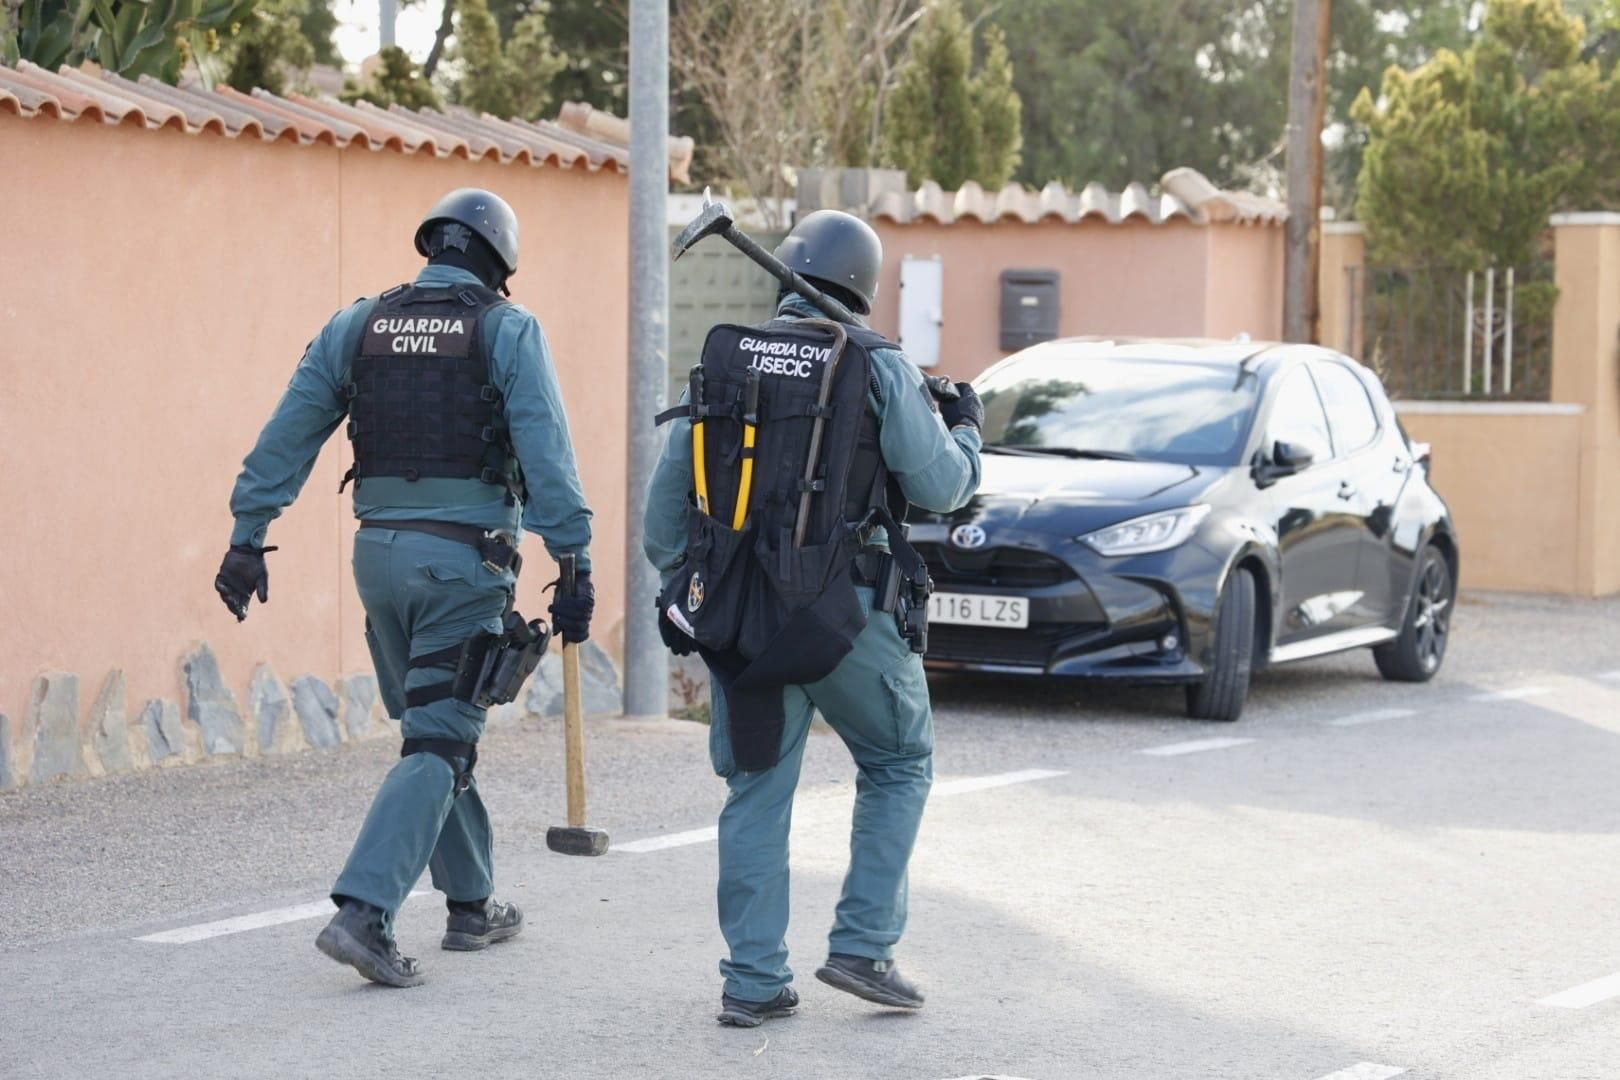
pixel 1072 496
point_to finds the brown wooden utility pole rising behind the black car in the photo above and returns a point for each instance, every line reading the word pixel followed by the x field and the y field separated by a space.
pixel 1307 114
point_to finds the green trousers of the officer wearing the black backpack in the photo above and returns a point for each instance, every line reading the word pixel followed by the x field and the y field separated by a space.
pixel 877 700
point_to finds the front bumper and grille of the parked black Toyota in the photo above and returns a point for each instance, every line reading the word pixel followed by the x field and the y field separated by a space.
pixel 1143 619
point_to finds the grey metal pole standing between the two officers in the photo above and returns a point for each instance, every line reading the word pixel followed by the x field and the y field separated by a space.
pixel 646 661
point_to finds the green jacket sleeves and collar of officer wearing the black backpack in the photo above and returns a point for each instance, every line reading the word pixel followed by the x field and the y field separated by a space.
pixel 937 469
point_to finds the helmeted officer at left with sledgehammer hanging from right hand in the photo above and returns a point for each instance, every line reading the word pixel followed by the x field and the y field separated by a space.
pixel 461 444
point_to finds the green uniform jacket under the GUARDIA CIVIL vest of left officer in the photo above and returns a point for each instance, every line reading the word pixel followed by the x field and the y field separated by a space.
pixel 313 406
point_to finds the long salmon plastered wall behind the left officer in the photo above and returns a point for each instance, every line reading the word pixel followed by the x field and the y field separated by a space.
pixel 156 294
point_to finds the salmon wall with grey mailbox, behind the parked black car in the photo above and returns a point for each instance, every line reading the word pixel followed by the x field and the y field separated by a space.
pixel 1128 279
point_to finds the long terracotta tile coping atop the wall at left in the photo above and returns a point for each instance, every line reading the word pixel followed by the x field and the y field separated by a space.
pixel 587 138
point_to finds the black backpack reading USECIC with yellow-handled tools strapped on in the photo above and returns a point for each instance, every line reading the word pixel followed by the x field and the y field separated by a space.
pixel 788 474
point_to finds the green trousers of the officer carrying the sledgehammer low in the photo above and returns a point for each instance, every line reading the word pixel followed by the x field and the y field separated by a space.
pixel 424 593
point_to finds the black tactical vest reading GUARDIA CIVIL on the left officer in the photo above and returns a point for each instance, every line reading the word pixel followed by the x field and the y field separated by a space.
pixel 420 396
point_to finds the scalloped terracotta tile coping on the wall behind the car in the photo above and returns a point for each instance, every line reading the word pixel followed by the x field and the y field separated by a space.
pixel 1183 193
